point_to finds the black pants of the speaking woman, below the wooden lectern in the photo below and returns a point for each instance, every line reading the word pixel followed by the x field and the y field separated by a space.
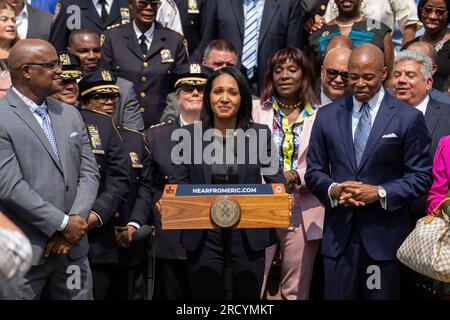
pixel 205 268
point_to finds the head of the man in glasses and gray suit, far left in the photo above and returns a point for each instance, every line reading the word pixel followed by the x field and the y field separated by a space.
pixel 35 69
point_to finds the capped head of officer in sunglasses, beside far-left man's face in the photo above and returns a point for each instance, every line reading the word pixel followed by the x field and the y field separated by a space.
pixel 71 72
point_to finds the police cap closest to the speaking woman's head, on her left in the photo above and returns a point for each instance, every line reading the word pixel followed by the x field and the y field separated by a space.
pixel 191 74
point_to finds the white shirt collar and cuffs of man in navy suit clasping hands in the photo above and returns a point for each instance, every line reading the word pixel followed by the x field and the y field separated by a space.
pixel 374 105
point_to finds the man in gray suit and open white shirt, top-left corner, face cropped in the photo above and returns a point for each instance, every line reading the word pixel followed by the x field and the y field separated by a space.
pixel 32 22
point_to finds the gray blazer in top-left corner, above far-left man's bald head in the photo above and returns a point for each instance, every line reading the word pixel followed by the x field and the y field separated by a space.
pixel 39 23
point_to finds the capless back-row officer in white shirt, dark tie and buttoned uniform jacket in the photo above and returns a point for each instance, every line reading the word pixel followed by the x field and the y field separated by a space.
pixel 145 53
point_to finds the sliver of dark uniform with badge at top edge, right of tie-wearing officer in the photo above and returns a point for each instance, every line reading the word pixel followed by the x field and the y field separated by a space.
pixel 191 21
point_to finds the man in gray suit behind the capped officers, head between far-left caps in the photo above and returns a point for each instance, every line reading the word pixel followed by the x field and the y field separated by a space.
pixel 86 44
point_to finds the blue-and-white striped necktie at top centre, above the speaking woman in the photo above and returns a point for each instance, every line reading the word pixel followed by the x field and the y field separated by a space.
pixel 249 56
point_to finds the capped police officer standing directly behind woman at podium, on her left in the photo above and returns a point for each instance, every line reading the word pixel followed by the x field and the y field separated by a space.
pixel 171 280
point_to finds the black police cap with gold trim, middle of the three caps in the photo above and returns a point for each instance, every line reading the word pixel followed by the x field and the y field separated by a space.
pixel 100 81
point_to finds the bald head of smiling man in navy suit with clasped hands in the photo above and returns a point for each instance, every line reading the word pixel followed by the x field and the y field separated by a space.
pixel 366 72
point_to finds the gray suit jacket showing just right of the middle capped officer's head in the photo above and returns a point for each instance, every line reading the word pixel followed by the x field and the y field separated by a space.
pixel 128 114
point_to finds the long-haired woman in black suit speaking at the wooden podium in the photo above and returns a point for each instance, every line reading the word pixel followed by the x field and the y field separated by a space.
pixel 227 107
